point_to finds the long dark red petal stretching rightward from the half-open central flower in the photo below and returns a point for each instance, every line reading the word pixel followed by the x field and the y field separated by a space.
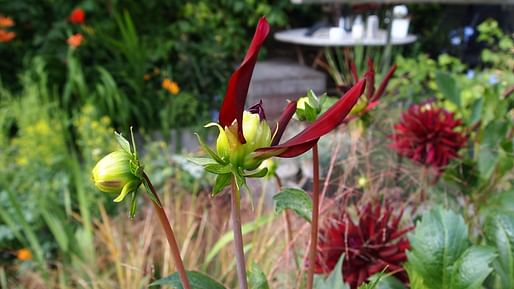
pixel 334 116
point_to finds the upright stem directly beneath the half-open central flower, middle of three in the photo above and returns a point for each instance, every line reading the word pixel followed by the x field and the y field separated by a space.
pixel 238 235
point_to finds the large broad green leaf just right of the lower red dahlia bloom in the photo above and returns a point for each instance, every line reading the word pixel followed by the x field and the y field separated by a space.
pixel 441 257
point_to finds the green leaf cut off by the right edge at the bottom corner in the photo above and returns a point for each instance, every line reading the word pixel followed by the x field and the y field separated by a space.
pixel 499 233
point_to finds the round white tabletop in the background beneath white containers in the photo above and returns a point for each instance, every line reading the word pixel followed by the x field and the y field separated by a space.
pixel 321 39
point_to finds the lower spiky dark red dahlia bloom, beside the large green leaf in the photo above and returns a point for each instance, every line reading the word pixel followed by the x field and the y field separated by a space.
pixel 376 242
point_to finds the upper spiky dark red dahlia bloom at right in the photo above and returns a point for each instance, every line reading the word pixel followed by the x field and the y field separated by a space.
pixel 428 135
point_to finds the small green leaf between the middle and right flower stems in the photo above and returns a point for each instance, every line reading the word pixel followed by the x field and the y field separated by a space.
pixel 295 199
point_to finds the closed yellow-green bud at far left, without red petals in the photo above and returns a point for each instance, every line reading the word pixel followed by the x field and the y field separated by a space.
pixel 113 174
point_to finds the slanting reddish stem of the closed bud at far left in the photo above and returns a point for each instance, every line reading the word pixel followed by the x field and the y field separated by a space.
pixel 175 252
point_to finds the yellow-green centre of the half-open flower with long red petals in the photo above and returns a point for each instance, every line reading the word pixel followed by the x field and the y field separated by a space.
pixel 257 134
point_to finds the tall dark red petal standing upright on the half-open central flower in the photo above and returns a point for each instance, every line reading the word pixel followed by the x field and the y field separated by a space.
pixel 237 90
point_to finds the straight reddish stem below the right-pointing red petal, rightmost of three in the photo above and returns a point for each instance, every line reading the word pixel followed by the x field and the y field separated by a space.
pixel 315 217
